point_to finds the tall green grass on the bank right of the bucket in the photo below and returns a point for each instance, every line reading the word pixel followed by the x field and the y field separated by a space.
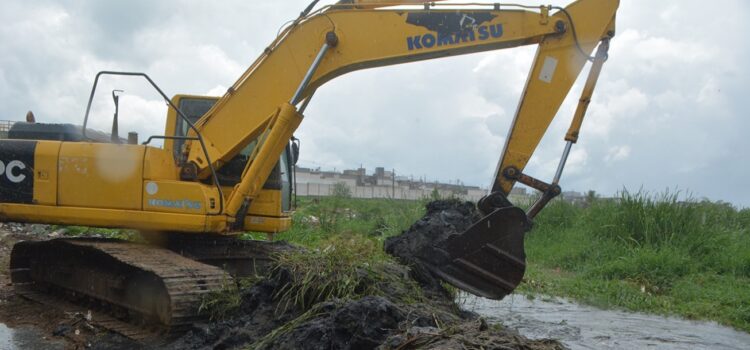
pixel 664 252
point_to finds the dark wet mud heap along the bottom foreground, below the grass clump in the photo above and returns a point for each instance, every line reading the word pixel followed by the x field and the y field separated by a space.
pixel 372 322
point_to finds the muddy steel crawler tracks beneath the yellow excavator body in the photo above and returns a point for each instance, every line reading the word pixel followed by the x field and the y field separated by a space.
pixel 143 283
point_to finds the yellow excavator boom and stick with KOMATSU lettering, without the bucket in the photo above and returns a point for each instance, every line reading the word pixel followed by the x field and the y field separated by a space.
pixel 353 35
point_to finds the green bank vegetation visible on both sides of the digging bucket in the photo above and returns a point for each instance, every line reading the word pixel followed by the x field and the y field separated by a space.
pixel 658 253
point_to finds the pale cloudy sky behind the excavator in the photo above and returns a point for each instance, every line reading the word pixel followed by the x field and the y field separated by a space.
pixel 669 111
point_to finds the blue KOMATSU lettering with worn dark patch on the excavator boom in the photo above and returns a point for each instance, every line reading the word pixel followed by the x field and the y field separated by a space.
pixel 451 28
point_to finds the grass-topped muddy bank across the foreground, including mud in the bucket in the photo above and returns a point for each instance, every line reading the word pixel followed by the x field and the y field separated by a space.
pixel 348 295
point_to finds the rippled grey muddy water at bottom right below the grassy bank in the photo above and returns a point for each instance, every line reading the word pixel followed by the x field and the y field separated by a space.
pixel 585 327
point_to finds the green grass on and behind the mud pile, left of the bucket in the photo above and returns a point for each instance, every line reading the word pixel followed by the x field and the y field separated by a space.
pixel 344 258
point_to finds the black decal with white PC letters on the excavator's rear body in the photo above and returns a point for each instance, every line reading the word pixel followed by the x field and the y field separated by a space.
pixel 17 171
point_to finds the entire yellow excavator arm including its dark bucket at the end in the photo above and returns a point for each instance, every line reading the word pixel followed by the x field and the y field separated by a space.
pixel 487 259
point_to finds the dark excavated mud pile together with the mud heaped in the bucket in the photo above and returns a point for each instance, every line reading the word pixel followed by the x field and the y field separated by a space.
pixel 392 318
